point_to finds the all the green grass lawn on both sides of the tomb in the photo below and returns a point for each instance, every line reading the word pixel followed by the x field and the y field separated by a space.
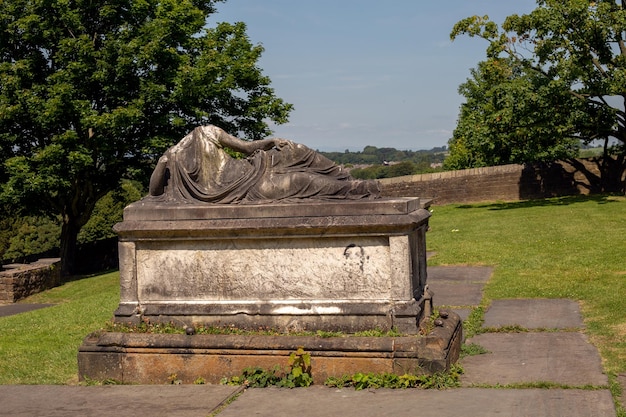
pixel 557 248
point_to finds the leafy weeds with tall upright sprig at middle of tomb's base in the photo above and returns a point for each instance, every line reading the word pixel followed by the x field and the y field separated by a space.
pixel 298 374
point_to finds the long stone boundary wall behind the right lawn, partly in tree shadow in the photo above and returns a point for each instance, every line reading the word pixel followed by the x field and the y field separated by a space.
pixel 506 182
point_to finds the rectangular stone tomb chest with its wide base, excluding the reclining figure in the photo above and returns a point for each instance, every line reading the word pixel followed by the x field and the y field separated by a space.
pixel 344 266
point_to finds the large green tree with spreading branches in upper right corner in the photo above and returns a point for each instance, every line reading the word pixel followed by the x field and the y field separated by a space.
pixel 570 58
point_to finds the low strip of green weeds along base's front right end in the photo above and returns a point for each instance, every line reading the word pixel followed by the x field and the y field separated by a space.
pixel 360 381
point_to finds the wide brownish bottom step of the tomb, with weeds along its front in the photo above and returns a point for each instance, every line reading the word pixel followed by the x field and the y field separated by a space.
pixel 153 358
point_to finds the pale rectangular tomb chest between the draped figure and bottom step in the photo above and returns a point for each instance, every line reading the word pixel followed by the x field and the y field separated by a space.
pixel 345 265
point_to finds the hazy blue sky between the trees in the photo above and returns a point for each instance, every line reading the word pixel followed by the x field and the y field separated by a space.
pixel 364 72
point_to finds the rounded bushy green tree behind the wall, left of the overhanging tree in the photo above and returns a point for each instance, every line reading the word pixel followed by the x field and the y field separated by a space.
pixel 512 116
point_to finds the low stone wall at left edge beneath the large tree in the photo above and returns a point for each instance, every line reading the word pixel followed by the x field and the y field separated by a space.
pixel 19 281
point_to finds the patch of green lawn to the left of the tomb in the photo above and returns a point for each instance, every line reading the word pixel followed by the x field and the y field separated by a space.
pixel 41 347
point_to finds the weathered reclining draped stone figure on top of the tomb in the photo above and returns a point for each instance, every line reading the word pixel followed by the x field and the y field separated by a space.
pixel 199 169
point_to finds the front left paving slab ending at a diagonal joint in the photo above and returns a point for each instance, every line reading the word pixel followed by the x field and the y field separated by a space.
pixel 112 401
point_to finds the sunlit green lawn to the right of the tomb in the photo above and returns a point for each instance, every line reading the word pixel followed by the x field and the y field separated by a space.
pixel 572 247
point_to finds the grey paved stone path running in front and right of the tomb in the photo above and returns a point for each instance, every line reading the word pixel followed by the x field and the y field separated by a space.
pixel 548 354
